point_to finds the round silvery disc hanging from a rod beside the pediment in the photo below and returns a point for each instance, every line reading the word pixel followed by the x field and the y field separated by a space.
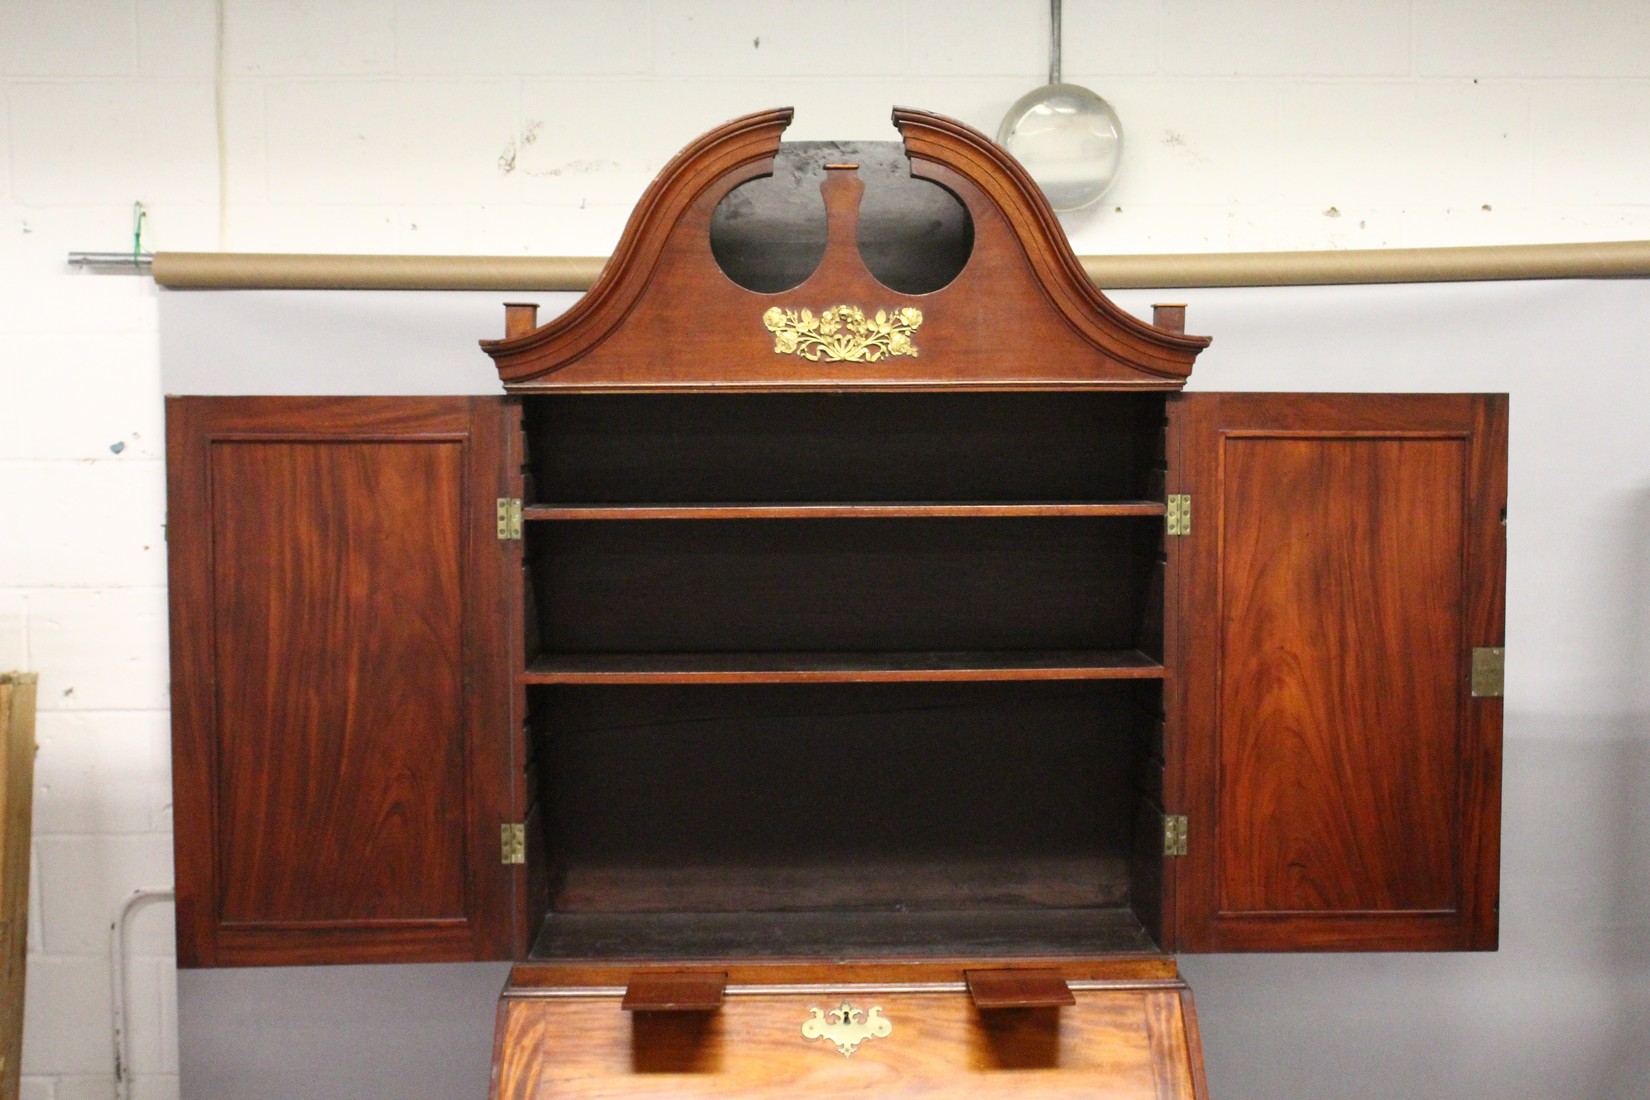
pixel 1068 139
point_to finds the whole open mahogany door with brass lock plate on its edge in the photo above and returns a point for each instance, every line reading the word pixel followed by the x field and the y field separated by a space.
pixel 1339 761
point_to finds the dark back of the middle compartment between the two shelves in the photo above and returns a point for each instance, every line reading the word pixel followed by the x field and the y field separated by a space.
pixel 862 585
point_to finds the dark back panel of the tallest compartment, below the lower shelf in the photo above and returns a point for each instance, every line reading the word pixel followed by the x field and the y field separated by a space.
pixel 844 797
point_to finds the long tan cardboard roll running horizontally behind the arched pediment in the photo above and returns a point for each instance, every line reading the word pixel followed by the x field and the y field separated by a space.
pixel 275 271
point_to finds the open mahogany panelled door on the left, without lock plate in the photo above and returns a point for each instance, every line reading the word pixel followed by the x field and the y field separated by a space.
pixel 341 759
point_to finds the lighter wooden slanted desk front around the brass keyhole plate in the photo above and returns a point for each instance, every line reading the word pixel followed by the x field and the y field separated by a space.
pixel 1128 1041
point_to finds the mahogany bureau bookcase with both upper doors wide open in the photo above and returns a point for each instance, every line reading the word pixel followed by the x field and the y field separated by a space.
pixel 846 649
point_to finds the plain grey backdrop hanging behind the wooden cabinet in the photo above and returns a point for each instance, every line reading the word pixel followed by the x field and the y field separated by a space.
pixel 1560 1013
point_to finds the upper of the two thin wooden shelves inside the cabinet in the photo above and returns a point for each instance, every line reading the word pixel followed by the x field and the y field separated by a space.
pixel 846 510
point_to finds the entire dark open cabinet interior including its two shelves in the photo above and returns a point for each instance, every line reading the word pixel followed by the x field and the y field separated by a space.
pixel 818 674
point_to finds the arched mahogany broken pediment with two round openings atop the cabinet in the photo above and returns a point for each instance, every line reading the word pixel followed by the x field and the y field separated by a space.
pixel 1021 291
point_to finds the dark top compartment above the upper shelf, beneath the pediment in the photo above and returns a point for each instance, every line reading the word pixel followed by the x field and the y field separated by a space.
pixel 844 448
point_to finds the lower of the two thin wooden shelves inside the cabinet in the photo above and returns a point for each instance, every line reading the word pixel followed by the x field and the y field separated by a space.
pixel 710 669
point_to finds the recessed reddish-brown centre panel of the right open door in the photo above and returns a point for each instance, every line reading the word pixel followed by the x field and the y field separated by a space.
pixel 1342 697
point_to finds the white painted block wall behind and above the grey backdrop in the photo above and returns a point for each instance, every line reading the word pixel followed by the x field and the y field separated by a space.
pixel 519 126
